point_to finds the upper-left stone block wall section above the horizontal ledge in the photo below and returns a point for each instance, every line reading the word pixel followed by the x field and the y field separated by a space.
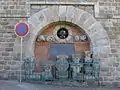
pixel 10 9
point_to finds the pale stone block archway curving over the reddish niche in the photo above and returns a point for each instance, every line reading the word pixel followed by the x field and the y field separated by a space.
pixel 95 31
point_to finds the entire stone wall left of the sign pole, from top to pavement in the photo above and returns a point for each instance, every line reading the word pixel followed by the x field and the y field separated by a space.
pixel 11 12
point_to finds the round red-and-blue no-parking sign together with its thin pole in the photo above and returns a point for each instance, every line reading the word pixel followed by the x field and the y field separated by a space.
pixel 21 30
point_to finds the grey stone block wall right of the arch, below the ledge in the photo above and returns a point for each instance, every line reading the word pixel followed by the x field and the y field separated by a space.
pixel 112 69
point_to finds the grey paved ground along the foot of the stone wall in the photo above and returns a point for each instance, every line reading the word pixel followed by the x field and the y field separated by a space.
pixel 14 85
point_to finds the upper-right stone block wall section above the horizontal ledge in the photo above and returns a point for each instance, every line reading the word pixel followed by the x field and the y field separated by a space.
pixel 109 9
